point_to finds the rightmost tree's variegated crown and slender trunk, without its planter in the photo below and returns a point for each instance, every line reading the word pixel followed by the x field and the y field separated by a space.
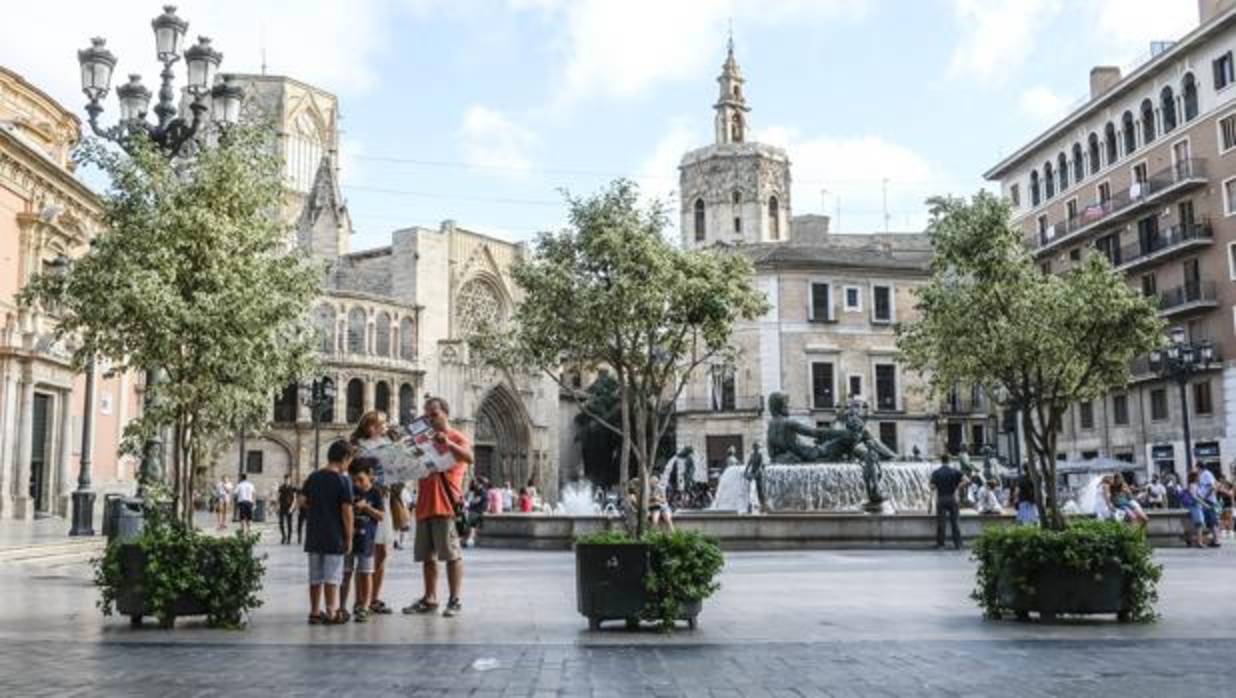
pixel 989 317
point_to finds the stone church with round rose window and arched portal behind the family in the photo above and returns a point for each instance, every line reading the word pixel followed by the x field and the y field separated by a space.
pixel 392 322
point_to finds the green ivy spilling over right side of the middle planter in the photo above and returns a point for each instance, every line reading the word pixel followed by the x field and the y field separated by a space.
pixel 683 570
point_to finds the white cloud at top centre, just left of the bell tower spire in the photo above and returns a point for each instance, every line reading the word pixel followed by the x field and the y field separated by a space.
pixel 621 50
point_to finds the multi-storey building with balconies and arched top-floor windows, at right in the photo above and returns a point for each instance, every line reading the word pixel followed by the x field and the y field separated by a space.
pixel 1144 175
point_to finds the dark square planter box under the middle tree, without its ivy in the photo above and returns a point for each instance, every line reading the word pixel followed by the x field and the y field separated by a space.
pixel 610 584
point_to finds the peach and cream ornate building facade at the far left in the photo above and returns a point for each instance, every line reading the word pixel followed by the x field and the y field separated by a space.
pixel 48 213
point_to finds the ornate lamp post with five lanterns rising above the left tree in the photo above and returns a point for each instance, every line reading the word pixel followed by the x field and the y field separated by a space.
pixel 170 133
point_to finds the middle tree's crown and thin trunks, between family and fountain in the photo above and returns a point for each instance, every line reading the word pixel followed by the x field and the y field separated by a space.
pixel 611 292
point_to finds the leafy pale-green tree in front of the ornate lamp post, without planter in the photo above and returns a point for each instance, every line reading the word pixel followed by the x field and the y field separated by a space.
pixel 193 275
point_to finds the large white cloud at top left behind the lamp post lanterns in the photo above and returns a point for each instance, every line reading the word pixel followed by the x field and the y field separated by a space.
pixel 329 44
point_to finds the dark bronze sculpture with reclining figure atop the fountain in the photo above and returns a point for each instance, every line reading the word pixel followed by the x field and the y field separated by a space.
pixel 852 443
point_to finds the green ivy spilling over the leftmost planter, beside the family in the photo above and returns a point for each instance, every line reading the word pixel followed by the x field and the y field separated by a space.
pixel 222 574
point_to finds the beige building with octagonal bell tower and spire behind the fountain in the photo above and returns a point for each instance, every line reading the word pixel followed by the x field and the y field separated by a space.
pixel 836 300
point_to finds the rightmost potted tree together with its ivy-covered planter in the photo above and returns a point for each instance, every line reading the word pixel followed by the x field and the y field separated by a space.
pixel 1039 344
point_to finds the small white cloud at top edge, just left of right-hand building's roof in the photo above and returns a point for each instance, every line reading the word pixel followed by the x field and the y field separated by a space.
pixel 998 36
